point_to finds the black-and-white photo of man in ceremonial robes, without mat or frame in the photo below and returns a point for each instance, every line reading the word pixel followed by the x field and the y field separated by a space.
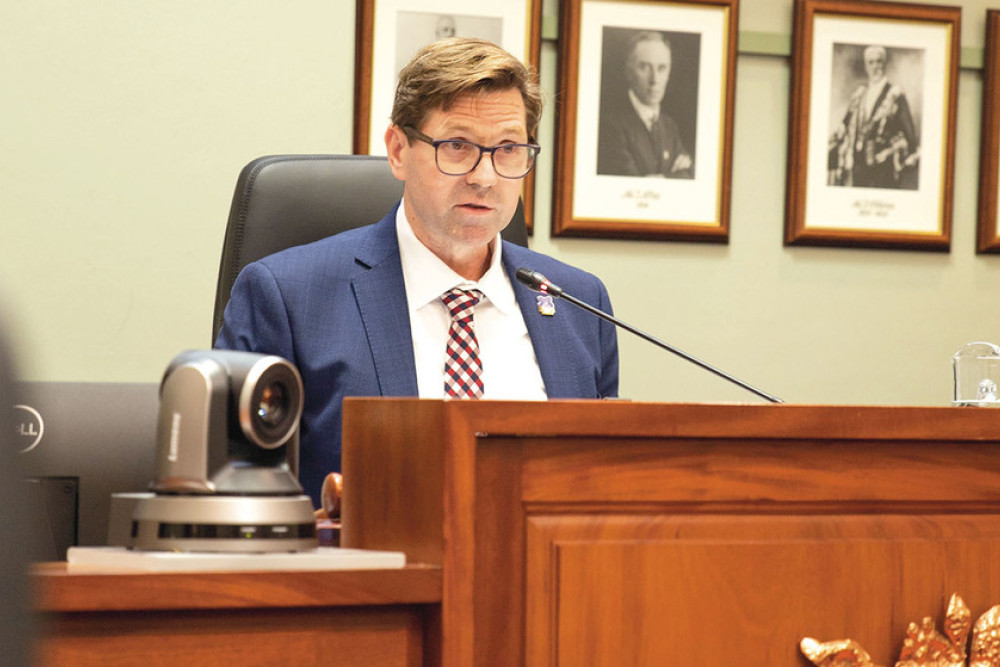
pixel 876 143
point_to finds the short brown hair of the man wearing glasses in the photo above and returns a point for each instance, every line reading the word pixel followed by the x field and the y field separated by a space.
pixel 442 72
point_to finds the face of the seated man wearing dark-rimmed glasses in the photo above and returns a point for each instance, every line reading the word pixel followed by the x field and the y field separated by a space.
pixel 458 216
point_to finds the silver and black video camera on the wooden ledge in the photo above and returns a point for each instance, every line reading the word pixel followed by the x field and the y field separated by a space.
pixel 226 458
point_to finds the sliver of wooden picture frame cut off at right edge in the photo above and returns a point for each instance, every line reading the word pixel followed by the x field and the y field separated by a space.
pixel 988 238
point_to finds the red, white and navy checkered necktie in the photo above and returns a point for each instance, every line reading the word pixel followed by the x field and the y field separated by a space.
pixel 463 371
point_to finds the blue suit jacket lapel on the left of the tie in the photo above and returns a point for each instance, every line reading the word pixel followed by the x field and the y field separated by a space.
pixel 381 297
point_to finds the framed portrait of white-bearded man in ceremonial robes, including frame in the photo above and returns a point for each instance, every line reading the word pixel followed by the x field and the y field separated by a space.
pixel 872 125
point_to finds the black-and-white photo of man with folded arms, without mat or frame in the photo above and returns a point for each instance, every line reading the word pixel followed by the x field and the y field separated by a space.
pixel 638 134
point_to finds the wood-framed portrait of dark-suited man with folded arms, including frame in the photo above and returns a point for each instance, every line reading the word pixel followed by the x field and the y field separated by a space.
pixel 645 119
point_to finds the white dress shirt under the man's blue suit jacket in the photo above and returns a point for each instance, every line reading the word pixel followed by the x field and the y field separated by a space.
pixel 510 368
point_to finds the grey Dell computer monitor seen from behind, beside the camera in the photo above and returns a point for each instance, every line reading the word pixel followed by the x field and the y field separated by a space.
pixel 79 443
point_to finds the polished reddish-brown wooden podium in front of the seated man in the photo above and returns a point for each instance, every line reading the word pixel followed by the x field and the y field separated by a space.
pixel 617 533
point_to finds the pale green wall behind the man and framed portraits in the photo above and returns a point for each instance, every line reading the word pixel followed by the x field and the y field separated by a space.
pixel 125 124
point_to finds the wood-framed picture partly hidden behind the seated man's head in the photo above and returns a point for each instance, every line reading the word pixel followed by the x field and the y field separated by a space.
pixel 375 78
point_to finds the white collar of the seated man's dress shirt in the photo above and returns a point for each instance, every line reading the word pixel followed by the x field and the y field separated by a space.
pixel 427 277
